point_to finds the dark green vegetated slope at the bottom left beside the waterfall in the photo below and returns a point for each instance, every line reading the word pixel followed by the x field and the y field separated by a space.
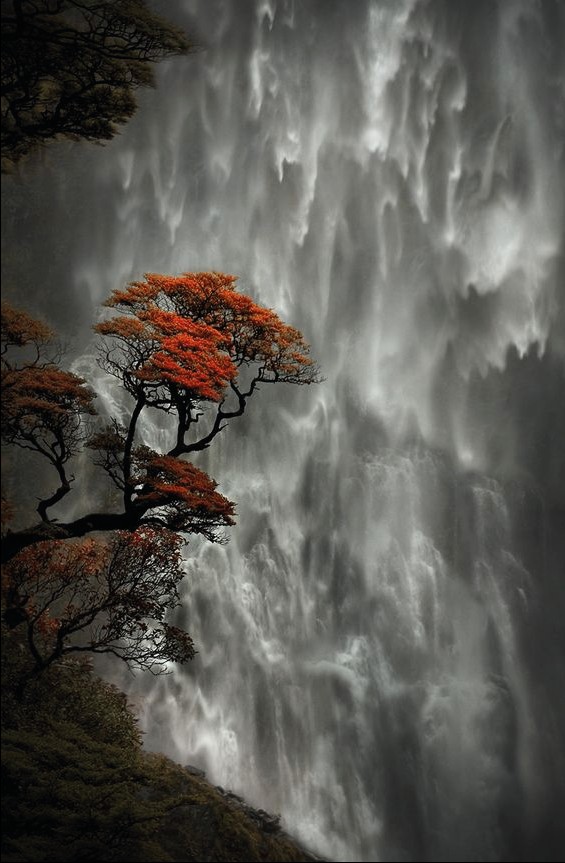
pixel 76 784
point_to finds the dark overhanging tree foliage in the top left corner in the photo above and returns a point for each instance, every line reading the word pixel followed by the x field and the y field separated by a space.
pixel 70 68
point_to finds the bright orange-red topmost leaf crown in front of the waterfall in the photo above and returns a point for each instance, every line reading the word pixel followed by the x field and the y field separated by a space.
pixel 195 330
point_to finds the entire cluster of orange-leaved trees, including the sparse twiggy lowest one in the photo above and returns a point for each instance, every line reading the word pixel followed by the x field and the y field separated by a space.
pixel 191 347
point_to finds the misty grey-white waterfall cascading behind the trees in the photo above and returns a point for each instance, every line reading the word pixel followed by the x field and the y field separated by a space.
pixel 381 642
